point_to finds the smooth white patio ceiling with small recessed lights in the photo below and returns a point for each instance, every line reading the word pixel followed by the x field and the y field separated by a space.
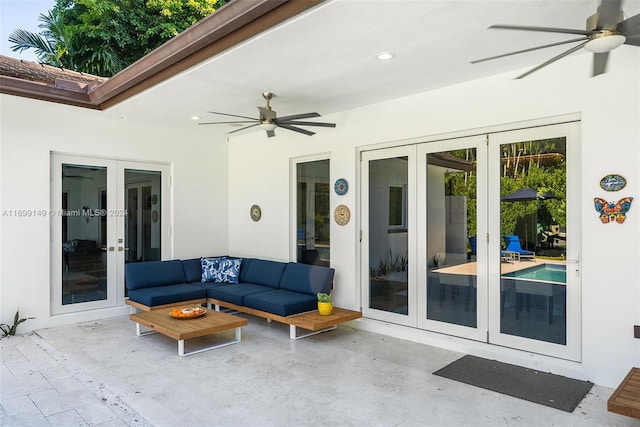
pixel 325 59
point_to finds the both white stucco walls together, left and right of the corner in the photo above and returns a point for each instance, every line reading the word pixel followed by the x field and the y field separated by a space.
pixel 215 183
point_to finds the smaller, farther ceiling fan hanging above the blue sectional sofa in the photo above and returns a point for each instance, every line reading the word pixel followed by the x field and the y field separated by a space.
pixel 269 121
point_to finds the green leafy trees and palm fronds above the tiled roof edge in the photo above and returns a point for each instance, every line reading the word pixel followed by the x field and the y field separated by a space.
pixel 103 37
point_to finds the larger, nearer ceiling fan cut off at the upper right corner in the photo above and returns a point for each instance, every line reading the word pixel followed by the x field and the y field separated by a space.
pixel 605 31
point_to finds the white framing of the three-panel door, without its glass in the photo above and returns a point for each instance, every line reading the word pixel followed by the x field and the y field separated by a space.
pixel 489 238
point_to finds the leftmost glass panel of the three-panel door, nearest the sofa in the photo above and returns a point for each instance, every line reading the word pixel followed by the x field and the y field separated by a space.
pixel 388 236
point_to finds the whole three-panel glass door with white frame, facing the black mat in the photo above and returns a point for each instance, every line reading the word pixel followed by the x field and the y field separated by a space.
pixel 477 237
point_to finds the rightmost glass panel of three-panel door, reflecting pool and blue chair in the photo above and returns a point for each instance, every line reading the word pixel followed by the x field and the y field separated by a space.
pixel 536 250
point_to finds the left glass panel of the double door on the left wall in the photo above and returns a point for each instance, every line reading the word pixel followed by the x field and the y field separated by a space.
pixel 82 257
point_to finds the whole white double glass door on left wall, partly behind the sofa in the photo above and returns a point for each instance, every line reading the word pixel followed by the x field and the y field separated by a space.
pixel 105 213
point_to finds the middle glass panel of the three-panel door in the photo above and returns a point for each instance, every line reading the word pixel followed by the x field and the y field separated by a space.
pixel 452 242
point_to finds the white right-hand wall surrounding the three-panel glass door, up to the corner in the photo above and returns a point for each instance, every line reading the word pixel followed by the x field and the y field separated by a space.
pixel 608 105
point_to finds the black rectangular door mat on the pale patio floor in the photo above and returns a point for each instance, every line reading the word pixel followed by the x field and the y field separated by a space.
pixel 544 388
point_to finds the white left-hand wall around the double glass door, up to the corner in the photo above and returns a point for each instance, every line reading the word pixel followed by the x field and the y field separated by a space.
pixel 31 130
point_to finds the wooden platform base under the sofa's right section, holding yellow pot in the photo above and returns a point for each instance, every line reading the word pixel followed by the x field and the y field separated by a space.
pixel 311 321
